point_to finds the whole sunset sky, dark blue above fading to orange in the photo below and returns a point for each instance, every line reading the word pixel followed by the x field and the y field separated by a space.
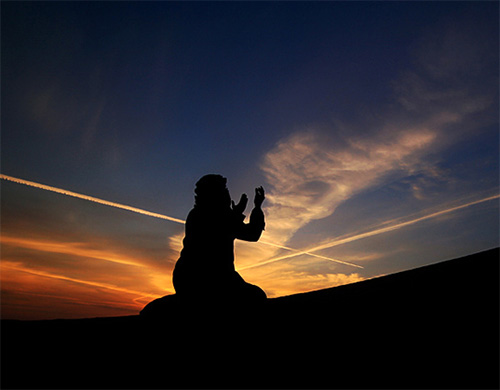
pixel 373 127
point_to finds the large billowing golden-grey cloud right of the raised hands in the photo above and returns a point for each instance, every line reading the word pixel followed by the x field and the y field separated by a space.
pixel 310 175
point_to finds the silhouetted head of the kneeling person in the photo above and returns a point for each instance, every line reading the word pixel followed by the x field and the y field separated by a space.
pixel 212 193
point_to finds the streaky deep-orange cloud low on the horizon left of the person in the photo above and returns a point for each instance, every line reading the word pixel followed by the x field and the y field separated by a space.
pixel 59 279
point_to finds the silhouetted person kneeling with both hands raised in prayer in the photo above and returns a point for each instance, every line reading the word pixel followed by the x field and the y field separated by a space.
pixel 205 269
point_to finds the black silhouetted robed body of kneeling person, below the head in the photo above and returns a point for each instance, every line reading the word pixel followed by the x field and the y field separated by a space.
pixel 206 264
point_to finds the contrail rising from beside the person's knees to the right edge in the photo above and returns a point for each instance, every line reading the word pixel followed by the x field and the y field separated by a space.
pixel 374 232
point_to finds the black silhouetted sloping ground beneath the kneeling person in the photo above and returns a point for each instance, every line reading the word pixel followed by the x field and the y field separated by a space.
pixel 432 327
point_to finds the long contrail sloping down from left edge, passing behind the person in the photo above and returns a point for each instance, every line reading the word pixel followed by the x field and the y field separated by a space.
pixel 143 212
